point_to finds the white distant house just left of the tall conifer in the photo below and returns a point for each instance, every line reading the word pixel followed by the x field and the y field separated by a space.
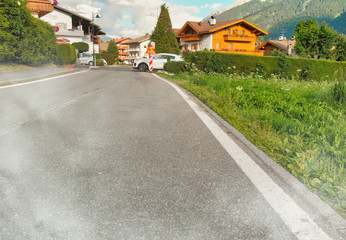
pixel 137 47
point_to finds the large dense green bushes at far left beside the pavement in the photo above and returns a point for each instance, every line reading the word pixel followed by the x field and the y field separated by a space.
pixel 23 38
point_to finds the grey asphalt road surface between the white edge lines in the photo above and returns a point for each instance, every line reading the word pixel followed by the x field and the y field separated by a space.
pixel 119 154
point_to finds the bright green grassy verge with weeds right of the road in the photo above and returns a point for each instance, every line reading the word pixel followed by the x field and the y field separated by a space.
pixel 297 123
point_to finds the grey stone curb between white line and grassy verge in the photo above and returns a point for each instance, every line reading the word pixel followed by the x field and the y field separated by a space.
pixel 318 210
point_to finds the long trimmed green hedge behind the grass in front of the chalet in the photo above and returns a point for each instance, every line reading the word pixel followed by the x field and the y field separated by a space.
pixel 302 68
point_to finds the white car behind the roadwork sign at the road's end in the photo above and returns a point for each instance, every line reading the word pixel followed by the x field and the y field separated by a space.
pixel 159 61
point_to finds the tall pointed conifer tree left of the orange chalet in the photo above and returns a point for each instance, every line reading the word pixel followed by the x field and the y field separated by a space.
pixel 163 35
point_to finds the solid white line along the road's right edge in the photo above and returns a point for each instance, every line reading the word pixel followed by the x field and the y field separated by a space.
pixel 299 222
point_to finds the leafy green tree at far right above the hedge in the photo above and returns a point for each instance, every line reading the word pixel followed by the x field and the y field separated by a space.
pixel 317 41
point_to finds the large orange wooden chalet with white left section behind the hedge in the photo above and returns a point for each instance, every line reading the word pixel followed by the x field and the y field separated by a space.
pixel 234 36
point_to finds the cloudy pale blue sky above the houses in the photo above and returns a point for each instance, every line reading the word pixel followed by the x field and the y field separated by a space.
pixel 135 18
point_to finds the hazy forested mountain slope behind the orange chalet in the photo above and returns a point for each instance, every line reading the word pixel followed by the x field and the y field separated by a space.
pixel 281 16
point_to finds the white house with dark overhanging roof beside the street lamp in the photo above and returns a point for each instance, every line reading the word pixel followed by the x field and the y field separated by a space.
pixel 71 27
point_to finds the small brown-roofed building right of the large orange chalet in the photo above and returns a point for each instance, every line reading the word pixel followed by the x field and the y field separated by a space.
pixel 283 45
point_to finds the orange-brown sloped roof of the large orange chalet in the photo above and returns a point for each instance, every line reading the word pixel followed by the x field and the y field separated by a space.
pixel 205 27
